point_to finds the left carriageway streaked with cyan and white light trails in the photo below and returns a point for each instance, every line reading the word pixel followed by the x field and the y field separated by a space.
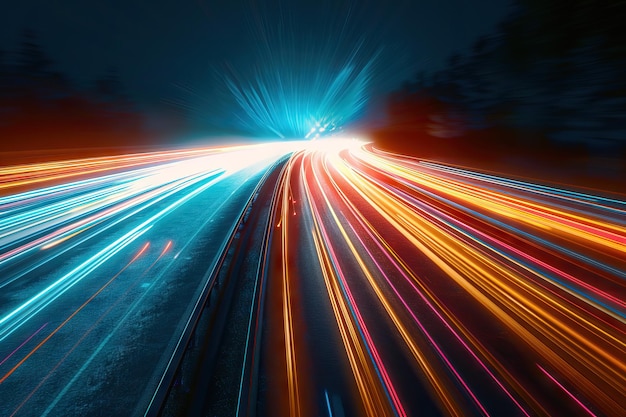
pixel 59 243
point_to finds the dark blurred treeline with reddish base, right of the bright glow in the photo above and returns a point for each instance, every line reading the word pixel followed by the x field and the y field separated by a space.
pixel 551 83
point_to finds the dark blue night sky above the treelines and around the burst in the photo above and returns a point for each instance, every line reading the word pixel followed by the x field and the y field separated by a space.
pixel 159 46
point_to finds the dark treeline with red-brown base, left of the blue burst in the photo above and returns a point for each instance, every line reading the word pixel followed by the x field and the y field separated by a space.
pixel 40 108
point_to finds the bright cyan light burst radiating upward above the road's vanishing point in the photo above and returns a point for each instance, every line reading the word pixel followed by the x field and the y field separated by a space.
pixel 305 82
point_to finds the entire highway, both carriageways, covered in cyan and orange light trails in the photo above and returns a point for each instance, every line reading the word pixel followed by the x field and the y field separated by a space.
pixel 322 277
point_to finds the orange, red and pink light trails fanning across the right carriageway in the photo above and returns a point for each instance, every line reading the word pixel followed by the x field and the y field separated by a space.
pixel 545 264
